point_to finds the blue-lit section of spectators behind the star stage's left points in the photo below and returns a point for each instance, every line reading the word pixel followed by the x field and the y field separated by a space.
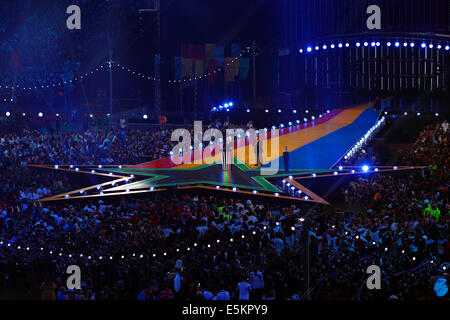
pixel 23 147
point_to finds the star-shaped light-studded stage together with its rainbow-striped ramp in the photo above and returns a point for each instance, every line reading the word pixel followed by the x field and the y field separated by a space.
pixel 315 150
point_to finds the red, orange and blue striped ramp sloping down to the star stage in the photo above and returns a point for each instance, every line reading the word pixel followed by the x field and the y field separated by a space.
pixel 315 145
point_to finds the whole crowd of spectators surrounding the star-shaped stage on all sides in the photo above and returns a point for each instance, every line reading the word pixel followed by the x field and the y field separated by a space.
pixel 188 246
